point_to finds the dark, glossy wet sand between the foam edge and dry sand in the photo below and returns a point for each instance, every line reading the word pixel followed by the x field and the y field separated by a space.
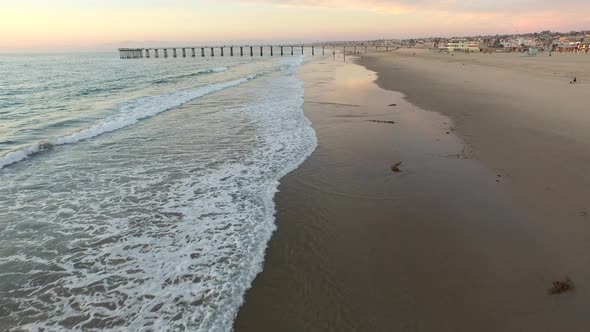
pixel 440 246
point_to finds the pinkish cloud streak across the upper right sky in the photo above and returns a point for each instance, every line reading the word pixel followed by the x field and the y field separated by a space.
pixel 448 16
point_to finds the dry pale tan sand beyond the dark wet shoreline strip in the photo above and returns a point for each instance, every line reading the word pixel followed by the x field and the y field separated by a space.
pixel 523 119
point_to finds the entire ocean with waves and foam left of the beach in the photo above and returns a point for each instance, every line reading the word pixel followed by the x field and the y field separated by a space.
pixel 138 194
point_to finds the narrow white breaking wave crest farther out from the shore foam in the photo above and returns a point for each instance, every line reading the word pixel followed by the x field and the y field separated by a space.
pixel 131 113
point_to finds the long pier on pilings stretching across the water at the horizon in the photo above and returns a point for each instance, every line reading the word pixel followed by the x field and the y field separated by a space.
pixel 249 50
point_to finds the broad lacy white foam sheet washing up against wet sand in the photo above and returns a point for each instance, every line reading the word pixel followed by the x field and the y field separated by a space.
pixel 156 245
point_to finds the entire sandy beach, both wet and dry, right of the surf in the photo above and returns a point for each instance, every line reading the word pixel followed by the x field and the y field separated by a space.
pixel 491 204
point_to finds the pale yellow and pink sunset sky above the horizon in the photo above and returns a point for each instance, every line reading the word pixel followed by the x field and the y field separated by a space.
pixel 64 25
